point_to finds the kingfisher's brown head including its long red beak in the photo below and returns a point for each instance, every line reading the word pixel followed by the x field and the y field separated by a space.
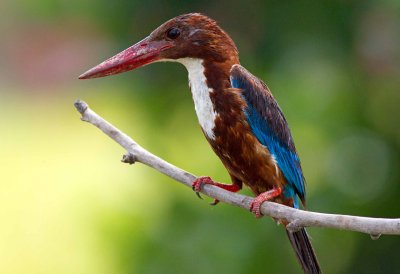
pixel 186 36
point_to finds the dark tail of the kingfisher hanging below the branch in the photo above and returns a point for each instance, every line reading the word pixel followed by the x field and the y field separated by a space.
pixel 304 251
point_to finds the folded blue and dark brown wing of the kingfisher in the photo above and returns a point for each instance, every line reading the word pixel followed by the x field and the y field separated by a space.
pixel 270 127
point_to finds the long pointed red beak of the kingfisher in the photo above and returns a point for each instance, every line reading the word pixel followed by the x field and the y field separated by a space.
pixel 138 55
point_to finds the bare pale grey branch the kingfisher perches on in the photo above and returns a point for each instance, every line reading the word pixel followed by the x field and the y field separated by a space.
pixel 296 218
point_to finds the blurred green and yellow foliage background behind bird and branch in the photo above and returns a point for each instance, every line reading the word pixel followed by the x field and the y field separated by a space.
pixel 69 206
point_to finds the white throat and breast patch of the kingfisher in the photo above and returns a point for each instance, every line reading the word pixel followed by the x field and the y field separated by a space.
pixel 201 94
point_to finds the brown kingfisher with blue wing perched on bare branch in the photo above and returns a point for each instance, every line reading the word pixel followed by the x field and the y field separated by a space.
pixel 237 112
